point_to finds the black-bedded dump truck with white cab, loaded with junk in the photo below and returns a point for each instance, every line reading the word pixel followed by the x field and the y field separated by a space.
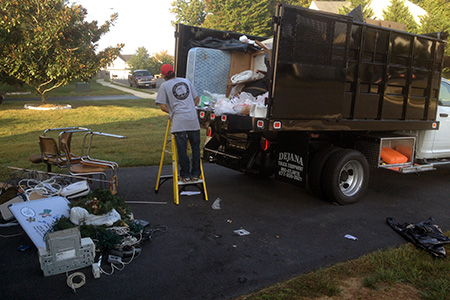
pixel 343 96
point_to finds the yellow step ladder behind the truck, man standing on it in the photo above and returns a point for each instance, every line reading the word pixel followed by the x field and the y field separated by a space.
pixel 178 185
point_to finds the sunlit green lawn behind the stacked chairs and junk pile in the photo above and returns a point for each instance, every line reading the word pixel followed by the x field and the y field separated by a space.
pixel 141 121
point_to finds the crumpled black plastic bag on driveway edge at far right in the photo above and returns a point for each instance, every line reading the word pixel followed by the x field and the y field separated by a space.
pixel 426 235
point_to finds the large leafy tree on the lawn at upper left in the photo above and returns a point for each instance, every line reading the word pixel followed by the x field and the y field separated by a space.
pixel 47 43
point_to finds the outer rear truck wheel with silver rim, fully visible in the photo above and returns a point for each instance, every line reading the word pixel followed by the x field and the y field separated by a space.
pixel 346 176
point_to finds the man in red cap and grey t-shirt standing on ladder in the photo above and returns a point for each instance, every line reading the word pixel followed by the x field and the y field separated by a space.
pixel 177 97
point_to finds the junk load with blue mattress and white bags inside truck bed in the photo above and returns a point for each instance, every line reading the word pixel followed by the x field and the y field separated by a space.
pixel 231 76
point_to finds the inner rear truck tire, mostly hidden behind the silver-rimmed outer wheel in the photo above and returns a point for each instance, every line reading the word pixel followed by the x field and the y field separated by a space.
pixel 315 170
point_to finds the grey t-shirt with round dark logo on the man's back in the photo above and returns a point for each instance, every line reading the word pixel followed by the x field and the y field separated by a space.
pixel 179 94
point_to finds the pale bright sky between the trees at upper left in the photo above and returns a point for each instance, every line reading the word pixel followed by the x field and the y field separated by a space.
pixel 141 23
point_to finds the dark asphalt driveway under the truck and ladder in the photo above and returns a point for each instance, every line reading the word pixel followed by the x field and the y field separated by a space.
pixel 200 256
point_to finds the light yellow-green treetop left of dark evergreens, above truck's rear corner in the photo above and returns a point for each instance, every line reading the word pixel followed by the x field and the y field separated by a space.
pixel 189 12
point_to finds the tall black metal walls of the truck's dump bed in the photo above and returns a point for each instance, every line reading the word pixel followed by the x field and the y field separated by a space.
pixel 331 73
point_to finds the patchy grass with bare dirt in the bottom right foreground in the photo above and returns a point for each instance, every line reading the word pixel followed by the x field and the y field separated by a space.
pixel 403 273
